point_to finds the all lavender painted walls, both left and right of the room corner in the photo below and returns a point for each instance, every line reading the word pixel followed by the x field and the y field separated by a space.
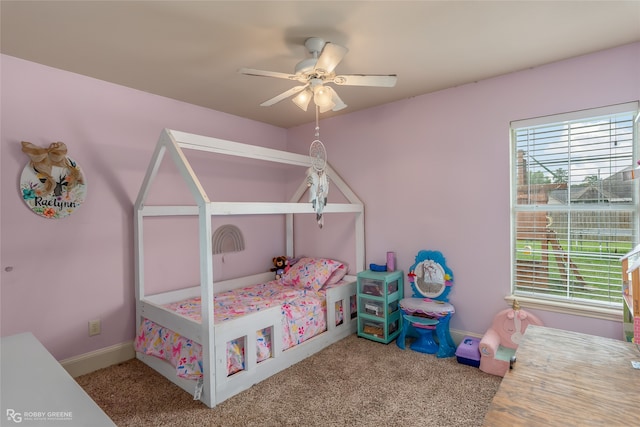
pixel 433 172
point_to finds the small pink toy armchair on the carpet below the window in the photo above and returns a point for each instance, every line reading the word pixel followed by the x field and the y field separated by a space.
pixel 501 340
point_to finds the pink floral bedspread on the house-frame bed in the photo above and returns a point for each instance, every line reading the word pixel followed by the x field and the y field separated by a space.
pixel 304 316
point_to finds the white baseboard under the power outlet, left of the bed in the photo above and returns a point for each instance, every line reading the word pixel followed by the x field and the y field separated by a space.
pixel 98 359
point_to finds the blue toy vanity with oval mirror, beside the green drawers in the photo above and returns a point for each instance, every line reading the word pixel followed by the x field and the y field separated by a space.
pixel 427 314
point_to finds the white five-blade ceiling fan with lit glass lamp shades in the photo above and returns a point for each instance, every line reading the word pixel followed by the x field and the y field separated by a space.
pixel 314 73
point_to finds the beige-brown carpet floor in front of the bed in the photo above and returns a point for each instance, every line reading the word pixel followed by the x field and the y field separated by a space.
pixel 355 382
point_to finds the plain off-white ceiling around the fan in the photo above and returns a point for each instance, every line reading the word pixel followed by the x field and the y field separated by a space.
pixel 191 50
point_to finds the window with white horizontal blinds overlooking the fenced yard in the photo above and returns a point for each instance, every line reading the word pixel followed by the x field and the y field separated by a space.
pixel 574 207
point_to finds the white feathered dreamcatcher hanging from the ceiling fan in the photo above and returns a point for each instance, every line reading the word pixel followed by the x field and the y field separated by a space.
pixel 316 177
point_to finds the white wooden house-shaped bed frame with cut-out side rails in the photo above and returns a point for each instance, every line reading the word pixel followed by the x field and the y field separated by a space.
pixel 216 385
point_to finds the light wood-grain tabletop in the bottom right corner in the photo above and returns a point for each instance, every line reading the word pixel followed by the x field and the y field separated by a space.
pixel 564 378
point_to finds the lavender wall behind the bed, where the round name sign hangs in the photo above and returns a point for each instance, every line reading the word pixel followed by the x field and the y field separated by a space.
pixel 66 272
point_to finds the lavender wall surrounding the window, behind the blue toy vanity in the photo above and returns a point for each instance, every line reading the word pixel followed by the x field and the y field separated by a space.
pixel 433 171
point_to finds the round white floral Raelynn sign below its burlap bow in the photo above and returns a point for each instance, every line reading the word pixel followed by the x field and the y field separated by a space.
pixel 56 193
